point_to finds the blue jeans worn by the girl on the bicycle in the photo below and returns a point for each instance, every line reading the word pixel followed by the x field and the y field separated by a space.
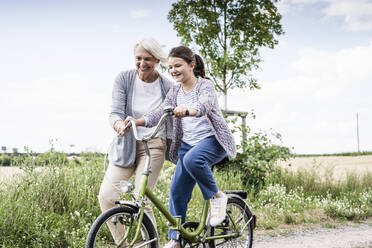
pixel 193 167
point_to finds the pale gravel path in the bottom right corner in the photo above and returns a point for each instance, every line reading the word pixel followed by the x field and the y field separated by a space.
pixel 355 236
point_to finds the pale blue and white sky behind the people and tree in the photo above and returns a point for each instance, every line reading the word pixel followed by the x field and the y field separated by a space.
pixel 58 61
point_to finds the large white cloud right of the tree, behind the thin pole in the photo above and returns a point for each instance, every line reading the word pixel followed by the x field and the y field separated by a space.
pixel 315 108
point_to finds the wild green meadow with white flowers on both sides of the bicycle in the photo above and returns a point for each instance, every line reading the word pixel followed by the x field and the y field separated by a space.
pixel 54 202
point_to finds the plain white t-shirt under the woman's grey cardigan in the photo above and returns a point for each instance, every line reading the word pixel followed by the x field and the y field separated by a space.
pixel 146 97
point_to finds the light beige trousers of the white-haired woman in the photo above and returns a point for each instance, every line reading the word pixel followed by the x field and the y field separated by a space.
pixel 110 187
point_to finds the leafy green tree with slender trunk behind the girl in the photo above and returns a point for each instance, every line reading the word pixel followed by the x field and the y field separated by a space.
pixel 228 35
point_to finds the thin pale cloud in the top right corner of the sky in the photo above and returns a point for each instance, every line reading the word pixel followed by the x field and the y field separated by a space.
pixel 357 14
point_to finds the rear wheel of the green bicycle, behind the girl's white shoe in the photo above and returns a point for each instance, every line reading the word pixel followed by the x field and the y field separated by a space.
pixel 240 212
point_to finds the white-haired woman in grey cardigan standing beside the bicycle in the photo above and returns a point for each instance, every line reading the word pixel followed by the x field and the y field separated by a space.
pixel 136 92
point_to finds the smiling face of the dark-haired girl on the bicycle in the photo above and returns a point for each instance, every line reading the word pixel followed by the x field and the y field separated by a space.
pixel 180 70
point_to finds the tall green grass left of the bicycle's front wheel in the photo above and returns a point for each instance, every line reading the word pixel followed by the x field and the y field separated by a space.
pixel 52 207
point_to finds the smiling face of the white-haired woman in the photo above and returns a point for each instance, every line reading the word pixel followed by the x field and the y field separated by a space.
pixel 145 62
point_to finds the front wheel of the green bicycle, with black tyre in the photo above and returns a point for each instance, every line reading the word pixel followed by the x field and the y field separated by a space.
pixel 112 226
